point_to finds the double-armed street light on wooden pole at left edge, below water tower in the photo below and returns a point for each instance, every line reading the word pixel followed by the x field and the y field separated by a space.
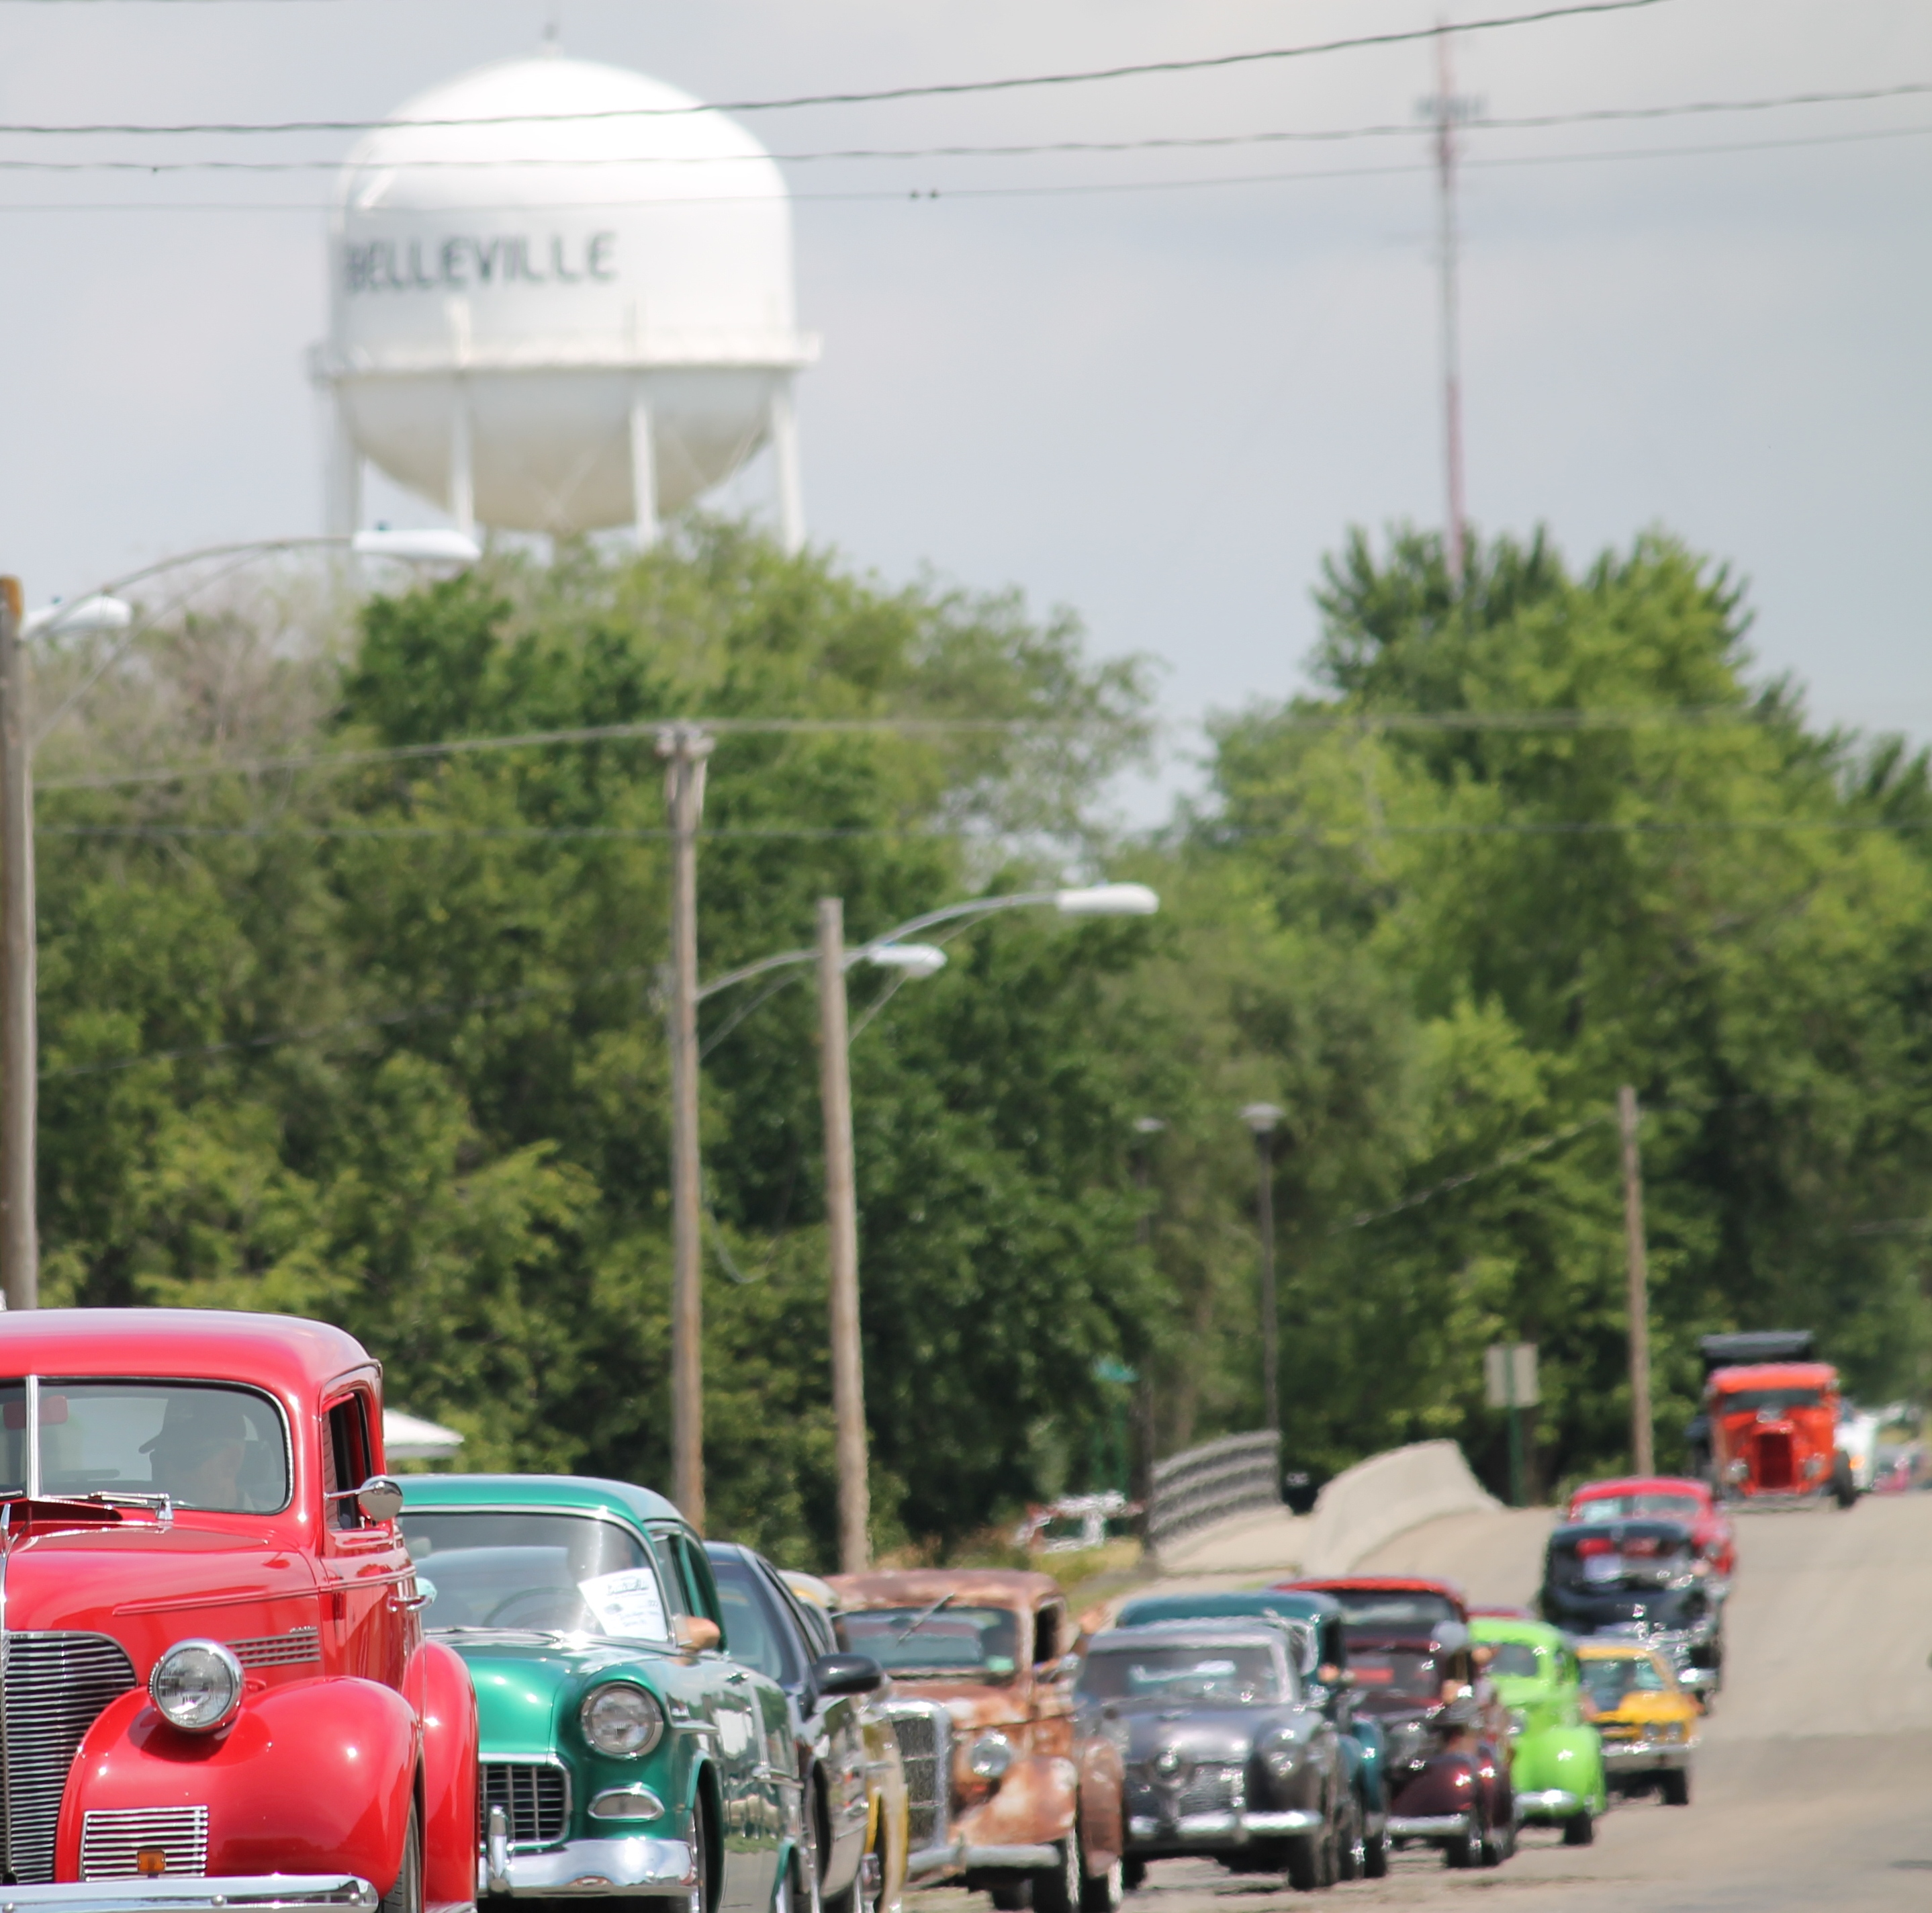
pixel 99 615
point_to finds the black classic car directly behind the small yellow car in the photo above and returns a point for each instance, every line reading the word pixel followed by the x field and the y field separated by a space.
pixel 1639 1582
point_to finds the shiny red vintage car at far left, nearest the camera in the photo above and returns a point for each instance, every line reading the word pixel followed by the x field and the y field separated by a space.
pixel 212 1663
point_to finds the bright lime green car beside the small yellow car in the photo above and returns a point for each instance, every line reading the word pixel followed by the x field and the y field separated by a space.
pixel 1556 1757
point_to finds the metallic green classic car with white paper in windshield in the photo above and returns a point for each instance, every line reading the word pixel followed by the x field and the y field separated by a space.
pixel 623 1754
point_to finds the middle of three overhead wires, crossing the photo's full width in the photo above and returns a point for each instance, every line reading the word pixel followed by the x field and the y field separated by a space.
pixel 1027 150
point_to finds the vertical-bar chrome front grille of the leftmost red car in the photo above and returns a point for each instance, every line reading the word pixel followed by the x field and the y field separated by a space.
pixel 57 1688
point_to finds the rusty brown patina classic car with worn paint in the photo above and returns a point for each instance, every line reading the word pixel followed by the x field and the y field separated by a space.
pixel 1013 1785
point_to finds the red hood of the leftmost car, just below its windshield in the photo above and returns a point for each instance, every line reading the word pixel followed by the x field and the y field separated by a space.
pixel 136 1578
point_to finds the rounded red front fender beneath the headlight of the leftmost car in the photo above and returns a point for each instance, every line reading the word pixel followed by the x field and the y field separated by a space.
pixel 314 1777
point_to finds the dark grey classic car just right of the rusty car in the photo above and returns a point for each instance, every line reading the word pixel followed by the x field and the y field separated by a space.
pixel 1228 1756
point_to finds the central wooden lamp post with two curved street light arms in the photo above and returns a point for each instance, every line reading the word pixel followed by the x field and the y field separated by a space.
pixel 841 1201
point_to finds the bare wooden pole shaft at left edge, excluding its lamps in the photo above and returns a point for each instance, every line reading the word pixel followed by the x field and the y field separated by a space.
pixel 20 1238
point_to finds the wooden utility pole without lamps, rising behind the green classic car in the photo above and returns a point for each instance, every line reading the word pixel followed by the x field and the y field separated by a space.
pixel 685 751
